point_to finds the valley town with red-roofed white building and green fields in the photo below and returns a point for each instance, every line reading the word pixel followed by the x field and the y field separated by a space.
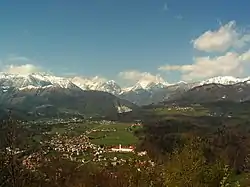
pixel 81 146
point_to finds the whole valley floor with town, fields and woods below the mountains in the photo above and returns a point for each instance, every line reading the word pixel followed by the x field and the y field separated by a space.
pixel 186 145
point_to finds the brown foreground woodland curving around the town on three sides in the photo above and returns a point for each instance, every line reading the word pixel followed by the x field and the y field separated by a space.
pixel 182 153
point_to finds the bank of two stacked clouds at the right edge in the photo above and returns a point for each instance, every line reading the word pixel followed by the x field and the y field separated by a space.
pixel 225 40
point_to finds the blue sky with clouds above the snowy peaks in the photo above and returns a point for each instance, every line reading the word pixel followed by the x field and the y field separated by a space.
pixel 126 41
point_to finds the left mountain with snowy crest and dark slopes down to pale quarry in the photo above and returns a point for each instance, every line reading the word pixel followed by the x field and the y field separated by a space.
pixel 38 95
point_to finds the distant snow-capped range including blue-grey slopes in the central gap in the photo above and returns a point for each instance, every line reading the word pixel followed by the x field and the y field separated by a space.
pixel 143 92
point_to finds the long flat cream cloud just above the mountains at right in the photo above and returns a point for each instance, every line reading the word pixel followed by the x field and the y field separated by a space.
pixel 205 67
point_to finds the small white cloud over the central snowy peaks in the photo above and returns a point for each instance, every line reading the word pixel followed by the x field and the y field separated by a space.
pixel 135 76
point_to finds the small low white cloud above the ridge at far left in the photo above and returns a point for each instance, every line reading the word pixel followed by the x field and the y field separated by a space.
pixel 22 69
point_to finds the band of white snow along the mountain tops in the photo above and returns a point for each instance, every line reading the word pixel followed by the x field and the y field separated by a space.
pixel 43 80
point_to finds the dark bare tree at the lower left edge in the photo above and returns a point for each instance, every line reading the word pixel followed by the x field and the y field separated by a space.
pixel 13 148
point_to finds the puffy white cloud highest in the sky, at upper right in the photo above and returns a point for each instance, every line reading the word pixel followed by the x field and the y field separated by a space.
pixel 221 40
